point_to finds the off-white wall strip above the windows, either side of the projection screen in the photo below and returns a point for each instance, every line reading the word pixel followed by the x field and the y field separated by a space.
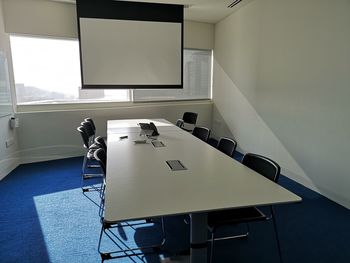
pixel 48 18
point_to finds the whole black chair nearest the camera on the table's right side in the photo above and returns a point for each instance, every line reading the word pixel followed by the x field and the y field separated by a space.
pixel 217 219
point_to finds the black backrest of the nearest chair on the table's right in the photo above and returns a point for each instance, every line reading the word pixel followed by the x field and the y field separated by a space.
pixel 262 165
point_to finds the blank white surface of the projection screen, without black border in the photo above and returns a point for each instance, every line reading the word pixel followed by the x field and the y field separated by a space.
pixel 127 52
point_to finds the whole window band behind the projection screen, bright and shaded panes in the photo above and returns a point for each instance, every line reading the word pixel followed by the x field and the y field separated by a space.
pixel 47 71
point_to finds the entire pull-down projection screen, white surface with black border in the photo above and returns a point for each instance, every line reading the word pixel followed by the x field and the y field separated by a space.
pixel 132 47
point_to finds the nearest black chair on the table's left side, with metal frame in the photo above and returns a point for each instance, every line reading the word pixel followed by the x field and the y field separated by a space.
pixel 107 228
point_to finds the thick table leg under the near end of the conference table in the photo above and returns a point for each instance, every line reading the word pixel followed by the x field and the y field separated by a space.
pixel 199 236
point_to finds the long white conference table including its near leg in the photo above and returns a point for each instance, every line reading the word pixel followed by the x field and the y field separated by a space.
pixel 142 184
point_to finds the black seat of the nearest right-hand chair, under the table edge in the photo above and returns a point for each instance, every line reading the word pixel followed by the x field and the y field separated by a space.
pixel 235 216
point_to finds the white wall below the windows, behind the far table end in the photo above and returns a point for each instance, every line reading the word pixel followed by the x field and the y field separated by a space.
pixel 53 135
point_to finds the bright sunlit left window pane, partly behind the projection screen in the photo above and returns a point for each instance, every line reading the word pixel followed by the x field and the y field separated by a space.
pixel 47 70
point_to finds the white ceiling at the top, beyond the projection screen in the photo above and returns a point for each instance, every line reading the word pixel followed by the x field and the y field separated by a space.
pixel 209 11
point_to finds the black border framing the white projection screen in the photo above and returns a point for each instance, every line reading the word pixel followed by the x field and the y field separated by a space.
pixel 127 10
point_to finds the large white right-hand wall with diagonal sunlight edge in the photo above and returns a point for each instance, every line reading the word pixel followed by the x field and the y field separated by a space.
pixel 281 87
